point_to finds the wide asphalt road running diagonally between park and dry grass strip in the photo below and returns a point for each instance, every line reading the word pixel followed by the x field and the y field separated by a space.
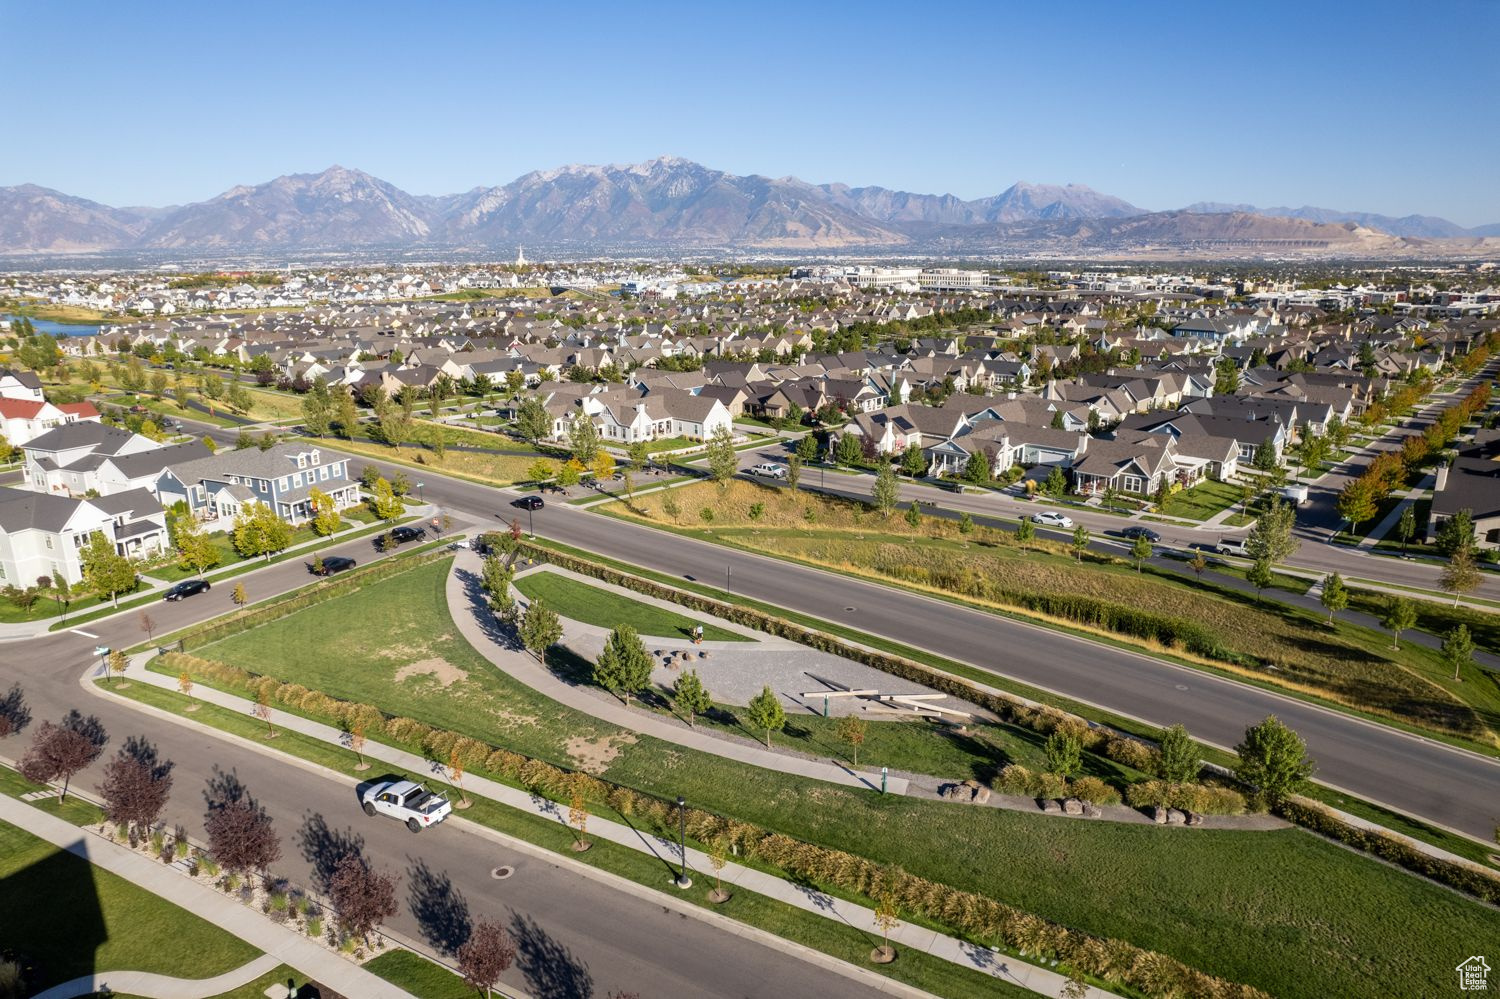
pixel 1427 779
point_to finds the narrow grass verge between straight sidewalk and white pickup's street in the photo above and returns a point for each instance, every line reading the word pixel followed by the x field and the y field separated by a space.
pixel 431 982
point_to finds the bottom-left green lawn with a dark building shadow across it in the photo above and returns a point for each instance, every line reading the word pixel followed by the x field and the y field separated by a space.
pixel 82 919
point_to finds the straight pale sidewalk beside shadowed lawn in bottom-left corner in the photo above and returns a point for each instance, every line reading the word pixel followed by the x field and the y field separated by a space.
pixel 280 944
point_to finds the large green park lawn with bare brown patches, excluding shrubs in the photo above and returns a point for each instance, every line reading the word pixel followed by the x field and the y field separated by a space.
pixel 1175 893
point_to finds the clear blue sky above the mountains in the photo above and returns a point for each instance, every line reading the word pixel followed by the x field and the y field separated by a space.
pixel 1378 107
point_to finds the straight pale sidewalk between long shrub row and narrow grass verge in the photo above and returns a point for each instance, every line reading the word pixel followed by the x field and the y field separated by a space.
pixel 808 899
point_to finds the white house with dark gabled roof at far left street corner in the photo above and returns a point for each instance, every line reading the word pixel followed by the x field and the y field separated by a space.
pixel 44 533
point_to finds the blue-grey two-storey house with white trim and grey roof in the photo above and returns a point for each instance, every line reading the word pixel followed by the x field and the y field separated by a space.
pixel 220 487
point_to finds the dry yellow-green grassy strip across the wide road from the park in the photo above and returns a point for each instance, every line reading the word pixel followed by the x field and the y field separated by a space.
pixel 1292 650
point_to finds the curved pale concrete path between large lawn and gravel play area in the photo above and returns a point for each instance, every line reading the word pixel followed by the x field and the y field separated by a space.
pixel 478 626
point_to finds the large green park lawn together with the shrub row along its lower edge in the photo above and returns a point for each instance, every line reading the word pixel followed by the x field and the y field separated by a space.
pixel 1172 890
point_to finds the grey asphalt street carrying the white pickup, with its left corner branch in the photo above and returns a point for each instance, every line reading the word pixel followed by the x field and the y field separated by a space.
pixel 577 938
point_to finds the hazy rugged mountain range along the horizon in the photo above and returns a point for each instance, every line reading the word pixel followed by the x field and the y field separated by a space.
pixel 677 203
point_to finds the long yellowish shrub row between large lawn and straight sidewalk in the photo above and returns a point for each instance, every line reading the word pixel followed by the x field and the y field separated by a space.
pixel 974 916
